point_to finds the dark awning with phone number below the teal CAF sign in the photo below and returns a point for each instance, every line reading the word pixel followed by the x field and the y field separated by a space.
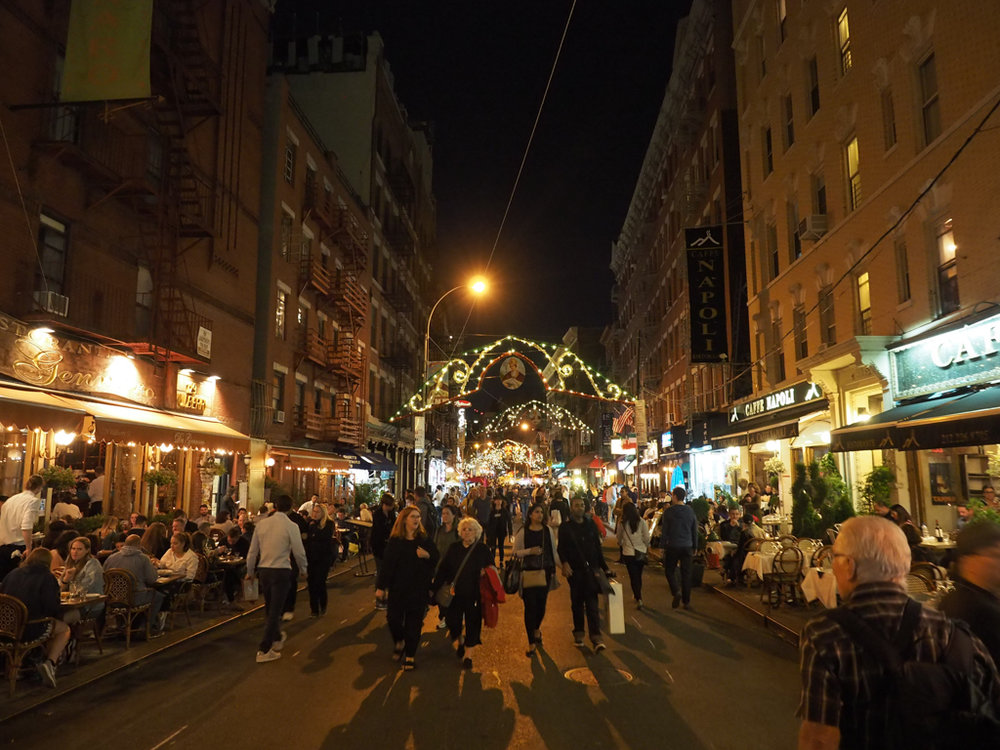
pixel 948 422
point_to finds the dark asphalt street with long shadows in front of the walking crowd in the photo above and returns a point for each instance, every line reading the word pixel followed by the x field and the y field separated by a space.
pixel 707 678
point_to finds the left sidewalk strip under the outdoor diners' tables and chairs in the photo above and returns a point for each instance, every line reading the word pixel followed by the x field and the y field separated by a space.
pixel 94 666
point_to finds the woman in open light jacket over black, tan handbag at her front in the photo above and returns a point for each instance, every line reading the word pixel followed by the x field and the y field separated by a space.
pixel 536 545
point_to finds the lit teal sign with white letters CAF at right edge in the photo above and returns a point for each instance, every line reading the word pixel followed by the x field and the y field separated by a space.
pixel 966 356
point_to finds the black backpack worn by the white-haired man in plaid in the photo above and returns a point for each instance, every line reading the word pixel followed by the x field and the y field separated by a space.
pixel 930 704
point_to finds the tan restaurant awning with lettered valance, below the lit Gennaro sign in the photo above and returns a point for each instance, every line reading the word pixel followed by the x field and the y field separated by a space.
pixel 125 423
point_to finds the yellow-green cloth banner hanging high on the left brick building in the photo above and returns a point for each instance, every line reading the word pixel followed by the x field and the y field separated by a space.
pixel 107 50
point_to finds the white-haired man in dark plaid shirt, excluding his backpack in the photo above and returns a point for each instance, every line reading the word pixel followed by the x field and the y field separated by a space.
pixel 844 700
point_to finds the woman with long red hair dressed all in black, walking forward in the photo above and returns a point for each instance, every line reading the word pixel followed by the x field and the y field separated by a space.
pixel 406 573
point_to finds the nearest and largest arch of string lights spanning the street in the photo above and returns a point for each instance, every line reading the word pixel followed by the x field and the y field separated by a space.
pixel 467 371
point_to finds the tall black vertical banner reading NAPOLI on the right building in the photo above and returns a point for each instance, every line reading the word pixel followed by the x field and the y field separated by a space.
pixel 707 294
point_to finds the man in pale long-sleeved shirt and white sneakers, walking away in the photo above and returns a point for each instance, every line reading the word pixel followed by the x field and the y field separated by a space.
pixel 276 540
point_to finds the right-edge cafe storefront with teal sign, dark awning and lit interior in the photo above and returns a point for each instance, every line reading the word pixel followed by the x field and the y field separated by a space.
pixel 943 419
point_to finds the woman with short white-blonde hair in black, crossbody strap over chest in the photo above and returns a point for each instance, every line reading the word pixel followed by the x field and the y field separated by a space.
pixel 461 568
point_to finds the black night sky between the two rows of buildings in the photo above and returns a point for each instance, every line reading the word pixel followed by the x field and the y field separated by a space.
pixel 477 70
